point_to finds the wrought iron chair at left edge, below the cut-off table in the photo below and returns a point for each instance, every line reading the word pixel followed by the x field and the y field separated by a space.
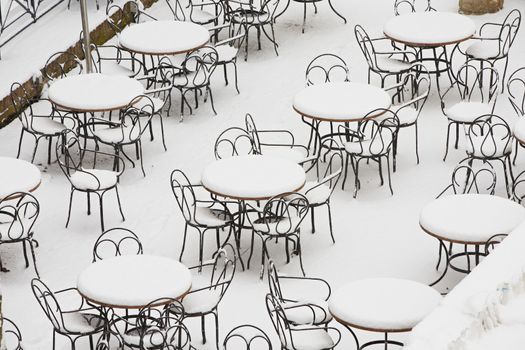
pixel 18 214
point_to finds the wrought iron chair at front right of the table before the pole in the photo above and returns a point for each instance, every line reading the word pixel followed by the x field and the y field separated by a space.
pixel 128 131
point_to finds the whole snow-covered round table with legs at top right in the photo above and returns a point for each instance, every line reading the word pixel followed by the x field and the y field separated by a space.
pixel 430 31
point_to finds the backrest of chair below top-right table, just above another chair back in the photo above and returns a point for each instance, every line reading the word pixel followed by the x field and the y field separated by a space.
pixel 476 84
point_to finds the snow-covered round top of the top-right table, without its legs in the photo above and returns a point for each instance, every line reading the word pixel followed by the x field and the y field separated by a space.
pixel 430 28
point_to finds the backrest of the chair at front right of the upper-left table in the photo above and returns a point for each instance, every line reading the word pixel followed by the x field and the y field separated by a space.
pixel 201 63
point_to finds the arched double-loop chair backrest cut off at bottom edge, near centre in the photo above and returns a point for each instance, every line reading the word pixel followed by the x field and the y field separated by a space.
pixel 247 337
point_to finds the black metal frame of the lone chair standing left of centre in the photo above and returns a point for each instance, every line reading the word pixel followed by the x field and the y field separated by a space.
pixel 69 165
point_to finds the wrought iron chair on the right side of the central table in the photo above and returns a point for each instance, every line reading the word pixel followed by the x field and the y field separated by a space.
pixel 319 191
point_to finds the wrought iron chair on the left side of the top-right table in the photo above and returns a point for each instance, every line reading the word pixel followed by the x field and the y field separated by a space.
pixel 383 63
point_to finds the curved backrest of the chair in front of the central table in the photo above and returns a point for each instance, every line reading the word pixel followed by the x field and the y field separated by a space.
pixel 283 214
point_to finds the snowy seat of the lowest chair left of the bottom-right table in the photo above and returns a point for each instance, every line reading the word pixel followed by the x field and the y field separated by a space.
pixel 311 339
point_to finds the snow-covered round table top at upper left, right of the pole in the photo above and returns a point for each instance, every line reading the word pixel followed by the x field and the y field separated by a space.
pixel 164 37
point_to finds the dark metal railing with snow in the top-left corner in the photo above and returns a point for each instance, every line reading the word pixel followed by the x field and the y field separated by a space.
pixel 18 15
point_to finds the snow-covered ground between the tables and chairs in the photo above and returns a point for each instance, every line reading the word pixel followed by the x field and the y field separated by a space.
pixel 377 234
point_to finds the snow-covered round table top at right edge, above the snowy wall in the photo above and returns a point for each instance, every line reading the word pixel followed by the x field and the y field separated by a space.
pixel 470 218
